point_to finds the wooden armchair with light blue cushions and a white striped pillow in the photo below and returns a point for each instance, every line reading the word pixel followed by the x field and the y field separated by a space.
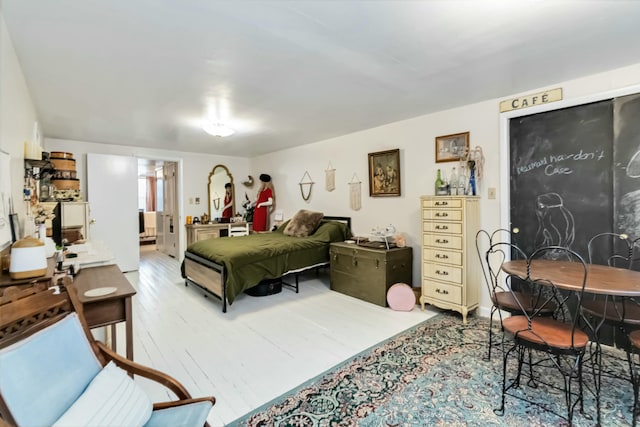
pixel 53 373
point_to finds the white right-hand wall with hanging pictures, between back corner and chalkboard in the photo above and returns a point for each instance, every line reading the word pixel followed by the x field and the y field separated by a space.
pixel 415 139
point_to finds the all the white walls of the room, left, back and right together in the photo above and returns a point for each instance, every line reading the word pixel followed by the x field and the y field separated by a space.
pixel 348 155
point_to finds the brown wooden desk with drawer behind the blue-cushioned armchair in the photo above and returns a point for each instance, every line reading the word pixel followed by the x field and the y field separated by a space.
pixel 108 309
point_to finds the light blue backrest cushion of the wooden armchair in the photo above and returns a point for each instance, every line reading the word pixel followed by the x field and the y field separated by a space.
pixel 42 375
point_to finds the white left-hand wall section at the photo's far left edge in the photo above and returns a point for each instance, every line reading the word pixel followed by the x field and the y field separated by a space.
pixel 17 115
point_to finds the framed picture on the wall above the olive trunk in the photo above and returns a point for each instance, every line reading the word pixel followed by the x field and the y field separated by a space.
pixel 384 173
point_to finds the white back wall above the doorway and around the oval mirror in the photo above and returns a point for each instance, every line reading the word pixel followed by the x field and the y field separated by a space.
pixel 194 169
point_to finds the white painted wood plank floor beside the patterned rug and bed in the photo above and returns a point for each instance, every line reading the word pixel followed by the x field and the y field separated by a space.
pixel 261 348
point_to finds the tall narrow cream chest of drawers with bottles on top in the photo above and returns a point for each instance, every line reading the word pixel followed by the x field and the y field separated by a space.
pixel 451 274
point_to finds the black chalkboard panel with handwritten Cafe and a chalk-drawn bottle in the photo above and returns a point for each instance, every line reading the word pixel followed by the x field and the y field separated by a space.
pixel 562 176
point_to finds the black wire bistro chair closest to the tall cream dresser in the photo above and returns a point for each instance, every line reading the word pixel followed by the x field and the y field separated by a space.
pixel 492 253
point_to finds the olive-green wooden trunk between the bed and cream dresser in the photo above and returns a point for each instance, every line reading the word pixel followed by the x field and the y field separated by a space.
pixel 367 273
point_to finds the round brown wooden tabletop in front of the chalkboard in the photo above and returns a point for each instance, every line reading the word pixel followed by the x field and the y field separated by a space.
pixel 601 279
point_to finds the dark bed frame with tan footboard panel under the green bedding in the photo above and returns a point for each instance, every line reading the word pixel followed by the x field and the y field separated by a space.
pixel 210 276
